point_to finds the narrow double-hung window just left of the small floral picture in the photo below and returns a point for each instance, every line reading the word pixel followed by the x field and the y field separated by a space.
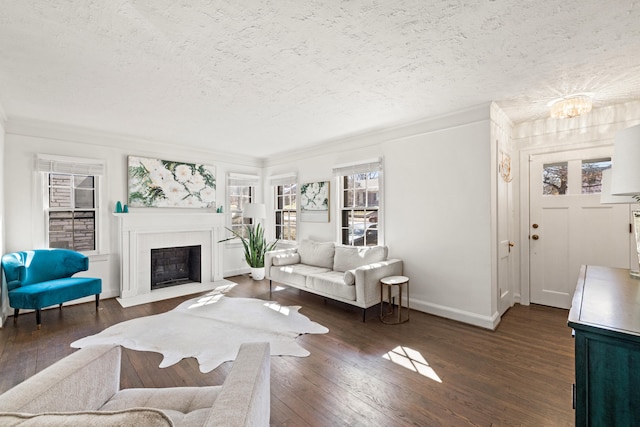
pixel 285 206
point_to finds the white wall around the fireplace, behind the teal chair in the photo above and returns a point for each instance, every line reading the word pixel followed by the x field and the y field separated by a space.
pixel 23 213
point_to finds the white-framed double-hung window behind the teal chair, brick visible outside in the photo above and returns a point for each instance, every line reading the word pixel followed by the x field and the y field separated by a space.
pixel 71 202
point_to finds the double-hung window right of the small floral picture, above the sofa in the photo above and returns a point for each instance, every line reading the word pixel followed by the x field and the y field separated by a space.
pixel 360 203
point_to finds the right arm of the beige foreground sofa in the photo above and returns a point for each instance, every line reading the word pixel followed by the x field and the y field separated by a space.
pixel 245 398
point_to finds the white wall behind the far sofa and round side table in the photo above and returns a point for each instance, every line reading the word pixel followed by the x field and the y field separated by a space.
pixel 437 207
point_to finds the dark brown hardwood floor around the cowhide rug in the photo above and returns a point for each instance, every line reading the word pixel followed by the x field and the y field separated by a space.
pixel 427 372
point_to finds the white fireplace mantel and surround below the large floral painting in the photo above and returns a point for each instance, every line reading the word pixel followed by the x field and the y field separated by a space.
pixel 139 232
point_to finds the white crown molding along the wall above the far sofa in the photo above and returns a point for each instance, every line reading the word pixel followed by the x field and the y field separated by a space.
pixel 378 136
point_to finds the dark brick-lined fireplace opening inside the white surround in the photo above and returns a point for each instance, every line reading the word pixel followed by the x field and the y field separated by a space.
pixel 175 266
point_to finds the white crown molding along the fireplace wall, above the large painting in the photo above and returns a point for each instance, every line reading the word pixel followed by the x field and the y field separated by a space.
pixel 43 129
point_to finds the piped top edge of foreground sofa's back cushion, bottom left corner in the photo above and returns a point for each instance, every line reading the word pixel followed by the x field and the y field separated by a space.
pixel 133 417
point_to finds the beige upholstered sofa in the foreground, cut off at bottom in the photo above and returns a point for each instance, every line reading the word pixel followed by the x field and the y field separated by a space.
pixel 83 389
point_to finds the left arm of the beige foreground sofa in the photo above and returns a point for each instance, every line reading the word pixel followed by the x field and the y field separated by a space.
pixel 82 381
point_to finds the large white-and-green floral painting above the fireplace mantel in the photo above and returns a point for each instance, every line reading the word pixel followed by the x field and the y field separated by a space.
pixel 164 183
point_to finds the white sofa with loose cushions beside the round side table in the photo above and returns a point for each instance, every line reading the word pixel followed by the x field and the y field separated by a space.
pixel 350 274
